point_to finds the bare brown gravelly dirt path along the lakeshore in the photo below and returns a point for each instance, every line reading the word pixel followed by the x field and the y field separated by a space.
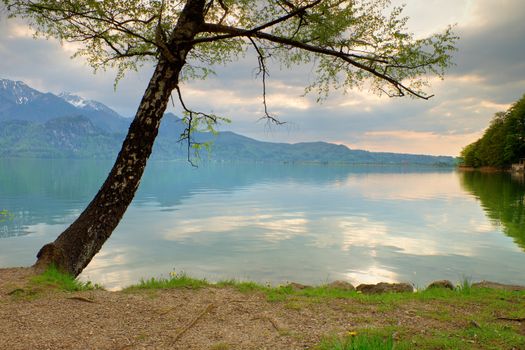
pixel 208 318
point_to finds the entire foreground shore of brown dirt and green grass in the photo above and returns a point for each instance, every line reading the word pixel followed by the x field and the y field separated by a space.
pixel 193 314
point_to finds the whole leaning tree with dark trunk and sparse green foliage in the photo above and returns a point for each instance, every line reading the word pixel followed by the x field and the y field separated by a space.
pixel 350 43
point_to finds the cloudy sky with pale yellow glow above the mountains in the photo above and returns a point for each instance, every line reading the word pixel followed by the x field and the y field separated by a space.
pixel 488 76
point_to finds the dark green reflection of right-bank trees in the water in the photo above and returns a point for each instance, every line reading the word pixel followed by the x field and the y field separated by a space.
pixel 502 198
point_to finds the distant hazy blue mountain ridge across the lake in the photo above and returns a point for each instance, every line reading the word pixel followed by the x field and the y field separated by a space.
pixel 44 125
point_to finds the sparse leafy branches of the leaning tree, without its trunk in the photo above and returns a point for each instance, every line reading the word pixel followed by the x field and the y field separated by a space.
pixel 348 42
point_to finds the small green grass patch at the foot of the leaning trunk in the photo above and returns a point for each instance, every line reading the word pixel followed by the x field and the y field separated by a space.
pixel 54 278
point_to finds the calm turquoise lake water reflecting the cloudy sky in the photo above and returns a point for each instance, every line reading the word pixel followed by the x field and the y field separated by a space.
pixel 277 222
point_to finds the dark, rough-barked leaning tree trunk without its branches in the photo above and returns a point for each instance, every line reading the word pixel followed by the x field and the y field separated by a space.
pixel 72 251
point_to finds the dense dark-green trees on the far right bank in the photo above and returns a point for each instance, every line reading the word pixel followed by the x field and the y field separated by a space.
pixel 503 143
